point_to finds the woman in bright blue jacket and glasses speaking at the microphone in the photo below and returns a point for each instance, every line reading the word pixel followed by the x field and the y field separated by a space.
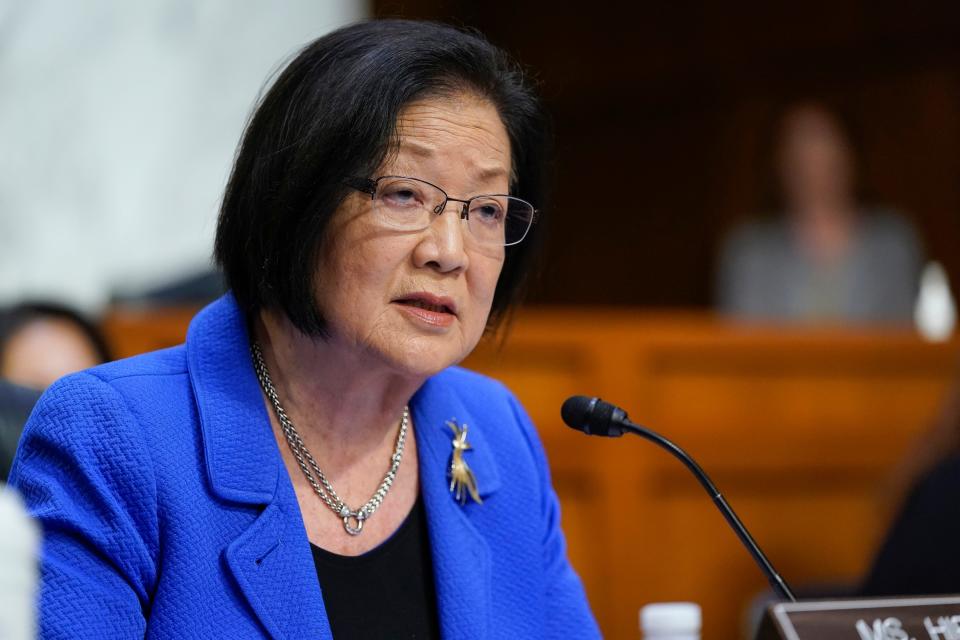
pixel 309 461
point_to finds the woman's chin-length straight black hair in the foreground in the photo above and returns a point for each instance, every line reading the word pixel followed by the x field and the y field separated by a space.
pixel 331 114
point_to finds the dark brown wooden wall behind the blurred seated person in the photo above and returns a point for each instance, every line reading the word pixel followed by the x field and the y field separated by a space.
pixel 664 114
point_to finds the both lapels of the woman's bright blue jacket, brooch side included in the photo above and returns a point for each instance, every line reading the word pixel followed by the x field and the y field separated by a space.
pixel 272 556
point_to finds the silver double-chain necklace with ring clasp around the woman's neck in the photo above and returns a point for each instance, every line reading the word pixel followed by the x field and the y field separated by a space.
pixel 352 519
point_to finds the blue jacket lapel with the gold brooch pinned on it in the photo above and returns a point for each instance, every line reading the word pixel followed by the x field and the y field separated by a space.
pixel 461 556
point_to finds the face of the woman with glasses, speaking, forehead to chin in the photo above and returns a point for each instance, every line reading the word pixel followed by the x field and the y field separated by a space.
pixel 418 302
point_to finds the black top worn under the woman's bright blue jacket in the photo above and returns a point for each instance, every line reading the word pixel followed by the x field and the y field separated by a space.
pixel 387 592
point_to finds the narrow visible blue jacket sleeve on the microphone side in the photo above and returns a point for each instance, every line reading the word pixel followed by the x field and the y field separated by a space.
pixel 568 613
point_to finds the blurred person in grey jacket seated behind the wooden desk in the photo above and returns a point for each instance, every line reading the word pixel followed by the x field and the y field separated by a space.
pixel 827 257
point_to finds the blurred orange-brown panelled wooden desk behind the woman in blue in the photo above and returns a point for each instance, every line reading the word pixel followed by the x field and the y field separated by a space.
pixel 799 428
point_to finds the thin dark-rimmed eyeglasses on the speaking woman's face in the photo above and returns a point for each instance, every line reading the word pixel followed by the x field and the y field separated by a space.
pixel 410 204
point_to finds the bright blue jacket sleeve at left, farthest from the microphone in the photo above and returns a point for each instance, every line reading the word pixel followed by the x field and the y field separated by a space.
pixel 87 478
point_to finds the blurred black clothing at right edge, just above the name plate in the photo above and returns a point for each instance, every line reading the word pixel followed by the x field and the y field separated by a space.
pixel 921 553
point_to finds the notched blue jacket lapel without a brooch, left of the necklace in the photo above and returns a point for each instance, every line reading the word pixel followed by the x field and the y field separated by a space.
pixel 271 559
